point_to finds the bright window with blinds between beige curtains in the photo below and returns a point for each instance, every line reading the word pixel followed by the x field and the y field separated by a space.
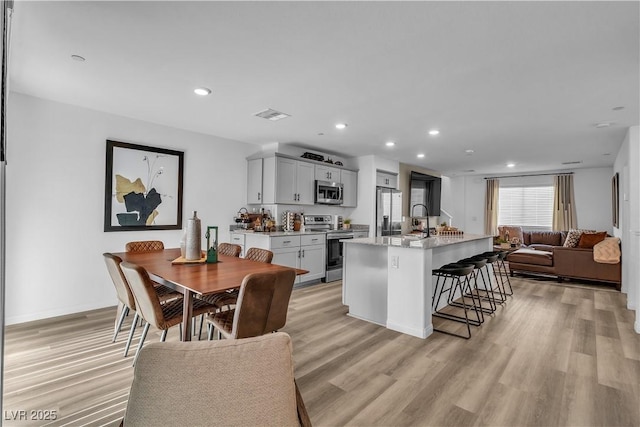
pixel 530 207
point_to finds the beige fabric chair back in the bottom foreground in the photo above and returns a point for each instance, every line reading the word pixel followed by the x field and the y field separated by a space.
pixel 237 382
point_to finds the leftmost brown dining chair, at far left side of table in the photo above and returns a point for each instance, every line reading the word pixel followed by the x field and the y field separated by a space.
pixel 126 301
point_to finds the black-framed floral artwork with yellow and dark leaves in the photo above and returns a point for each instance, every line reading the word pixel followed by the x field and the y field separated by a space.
pixel 143 188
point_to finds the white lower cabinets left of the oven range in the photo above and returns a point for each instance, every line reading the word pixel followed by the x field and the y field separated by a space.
pixel 306 252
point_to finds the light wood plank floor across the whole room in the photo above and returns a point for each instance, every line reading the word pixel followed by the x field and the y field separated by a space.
pixel 552 356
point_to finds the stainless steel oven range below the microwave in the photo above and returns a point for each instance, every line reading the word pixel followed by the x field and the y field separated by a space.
pixel 334 252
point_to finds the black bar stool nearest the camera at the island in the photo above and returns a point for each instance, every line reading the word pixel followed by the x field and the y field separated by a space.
pixel 455 274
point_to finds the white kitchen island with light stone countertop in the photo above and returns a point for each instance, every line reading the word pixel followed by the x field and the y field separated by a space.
pixel 387 280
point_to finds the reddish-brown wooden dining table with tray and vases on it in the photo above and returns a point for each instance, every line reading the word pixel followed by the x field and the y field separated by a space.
pixel 197 278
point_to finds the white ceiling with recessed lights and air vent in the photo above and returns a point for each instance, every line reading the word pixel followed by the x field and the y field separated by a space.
pixel 521 82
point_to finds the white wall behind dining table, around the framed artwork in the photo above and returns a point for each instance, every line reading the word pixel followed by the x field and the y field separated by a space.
pixel 55 201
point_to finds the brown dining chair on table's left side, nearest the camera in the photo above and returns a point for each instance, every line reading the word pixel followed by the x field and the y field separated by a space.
pixel 161 316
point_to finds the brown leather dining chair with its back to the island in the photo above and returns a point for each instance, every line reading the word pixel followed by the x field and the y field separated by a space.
pixel 261 308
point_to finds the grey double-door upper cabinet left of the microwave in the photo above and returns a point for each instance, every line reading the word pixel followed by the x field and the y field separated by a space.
pixel 288 181
